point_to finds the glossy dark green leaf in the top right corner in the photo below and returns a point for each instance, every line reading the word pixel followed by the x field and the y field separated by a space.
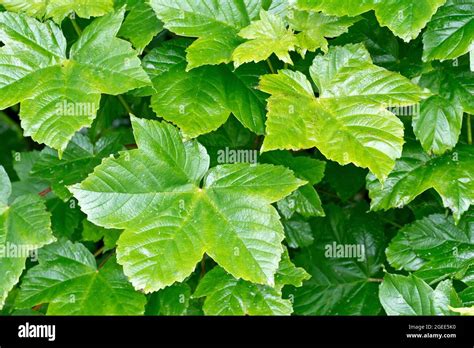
pixel 451 31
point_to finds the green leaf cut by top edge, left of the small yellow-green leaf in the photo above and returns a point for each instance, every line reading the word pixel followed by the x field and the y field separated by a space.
pixel 216 24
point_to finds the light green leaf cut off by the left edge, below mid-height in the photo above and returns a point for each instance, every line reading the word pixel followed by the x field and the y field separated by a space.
pixel 25 226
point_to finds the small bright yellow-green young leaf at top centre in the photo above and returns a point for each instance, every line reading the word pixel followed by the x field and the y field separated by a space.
pixel 266 36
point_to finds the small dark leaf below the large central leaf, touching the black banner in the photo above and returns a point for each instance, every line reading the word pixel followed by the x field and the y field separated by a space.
pixel 173 300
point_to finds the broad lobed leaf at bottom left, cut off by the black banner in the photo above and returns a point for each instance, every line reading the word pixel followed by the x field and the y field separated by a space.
pixel 68 279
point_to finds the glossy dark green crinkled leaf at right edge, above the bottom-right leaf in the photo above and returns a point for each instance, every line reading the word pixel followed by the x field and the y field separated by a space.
pixel 434 247
